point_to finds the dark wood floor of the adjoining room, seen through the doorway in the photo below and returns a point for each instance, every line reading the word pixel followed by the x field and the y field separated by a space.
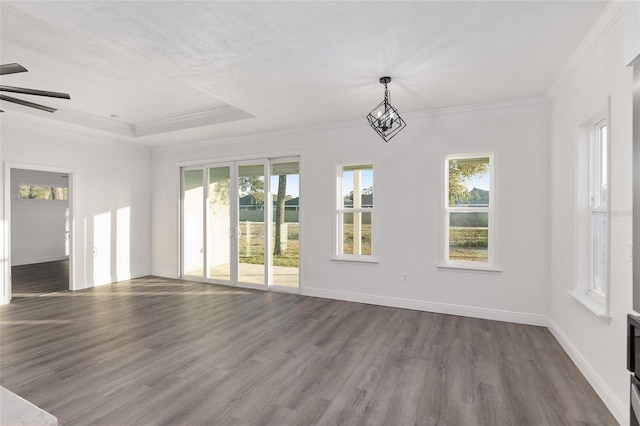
pixel 40 278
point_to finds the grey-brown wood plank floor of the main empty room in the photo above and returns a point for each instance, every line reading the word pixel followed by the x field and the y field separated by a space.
pixel 156 351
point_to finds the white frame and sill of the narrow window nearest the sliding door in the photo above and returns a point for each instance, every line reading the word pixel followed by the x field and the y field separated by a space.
pixel 339 254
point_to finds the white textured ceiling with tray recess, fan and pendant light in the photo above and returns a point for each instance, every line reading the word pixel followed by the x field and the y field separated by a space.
pixel 239 67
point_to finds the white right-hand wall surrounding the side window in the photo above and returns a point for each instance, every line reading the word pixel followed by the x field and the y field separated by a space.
pixel 597 348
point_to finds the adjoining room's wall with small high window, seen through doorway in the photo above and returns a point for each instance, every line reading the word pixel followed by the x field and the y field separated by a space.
pixel 38 227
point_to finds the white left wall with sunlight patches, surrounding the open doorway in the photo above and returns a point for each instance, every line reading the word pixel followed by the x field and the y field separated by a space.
pixel 111 195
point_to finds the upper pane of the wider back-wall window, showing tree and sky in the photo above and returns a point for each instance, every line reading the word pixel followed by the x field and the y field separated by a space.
pixel 469 182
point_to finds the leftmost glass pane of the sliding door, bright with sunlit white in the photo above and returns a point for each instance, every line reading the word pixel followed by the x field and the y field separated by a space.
pixel 193 223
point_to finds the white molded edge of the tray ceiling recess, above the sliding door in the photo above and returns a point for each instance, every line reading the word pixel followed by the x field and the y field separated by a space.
pixel 203 118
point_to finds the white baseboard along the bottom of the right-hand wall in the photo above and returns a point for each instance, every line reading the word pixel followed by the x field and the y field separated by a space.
pixel 617 408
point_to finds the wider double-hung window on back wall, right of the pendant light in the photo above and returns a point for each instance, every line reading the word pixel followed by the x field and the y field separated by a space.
pixel 468 211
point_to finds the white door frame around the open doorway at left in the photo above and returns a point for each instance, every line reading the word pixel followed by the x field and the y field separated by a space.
pixel 71 191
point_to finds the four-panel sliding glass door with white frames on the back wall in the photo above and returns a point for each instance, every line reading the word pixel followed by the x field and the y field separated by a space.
pixel 240 223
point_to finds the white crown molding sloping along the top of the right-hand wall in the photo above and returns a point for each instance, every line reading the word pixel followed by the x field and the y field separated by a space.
pixel 609 17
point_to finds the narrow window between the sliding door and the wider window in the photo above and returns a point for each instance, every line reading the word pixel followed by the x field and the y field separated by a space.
pixel 355 211
